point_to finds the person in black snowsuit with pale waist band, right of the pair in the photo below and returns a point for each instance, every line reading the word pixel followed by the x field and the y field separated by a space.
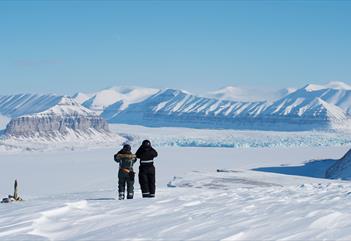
pixel 146 154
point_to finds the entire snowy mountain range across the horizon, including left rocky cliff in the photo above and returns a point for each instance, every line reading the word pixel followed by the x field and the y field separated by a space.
pixel 310 107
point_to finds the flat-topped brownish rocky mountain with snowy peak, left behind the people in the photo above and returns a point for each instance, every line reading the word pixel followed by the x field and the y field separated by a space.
pixel 66 116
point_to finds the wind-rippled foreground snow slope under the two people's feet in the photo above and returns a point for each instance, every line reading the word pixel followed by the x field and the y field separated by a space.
pixel 211 209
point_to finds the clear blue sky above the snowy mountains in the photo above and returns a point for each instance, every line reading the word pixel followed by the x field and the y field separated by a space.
pixel 69 46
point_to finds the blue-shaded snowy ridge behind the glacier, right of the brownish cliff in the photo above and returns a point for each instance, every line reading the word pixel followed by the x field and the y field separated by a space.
pixel 311 107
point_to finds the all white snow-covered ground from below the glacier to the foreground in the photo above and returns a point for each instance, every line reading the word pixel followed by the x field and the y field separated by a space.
pixel 70 195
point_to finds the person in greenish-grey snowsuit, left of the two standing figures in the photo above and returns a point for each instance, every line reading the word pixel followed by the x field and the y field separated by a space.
pixel 126 175
